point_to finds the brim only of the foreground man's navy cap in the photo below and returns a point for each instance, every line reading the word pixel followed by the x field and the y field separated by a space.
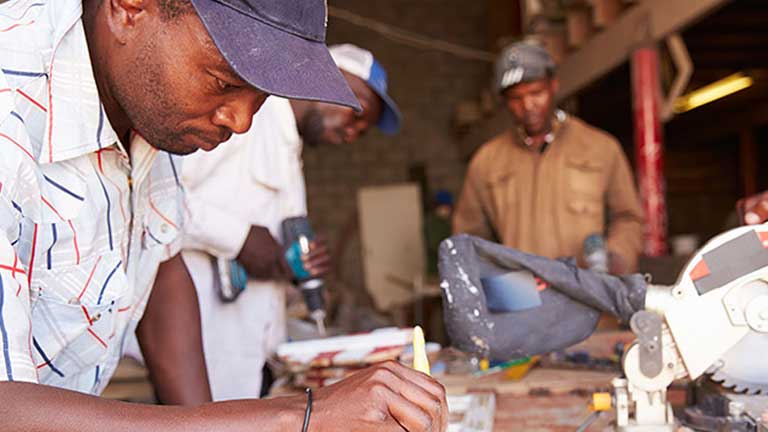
pixel 273 60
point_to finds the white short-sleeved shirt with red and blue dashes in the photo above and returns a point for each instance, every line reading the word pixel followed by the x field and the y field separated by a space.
pixel 83 225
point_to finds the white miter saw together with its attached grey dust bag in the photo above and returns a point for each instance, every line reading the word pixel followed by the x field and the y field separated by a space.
pixel 712 323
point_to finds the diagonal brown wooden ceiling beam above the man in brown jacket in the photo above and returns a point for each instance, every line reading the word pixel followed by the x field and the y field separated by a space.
pixel 648 21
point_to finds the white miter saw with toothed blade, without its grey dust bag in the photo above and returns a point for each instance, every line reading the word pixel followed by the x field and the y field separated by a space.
pixel 713 321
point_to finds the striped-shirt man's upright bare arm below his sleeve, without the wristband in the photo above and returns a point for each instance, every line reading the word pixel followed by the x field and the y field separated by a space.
pixel 170 338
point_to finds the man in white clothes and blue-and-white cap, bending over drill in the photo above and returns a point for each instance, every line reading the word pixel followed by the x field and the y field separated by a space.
pixel 264 166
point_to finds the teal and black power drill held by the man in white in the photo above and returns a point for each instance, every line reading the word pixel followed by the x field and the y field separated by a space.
pixel 297 236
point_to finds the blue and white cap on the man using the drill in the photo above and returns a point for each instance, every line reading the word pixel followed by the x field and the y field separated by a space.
pixel 360 62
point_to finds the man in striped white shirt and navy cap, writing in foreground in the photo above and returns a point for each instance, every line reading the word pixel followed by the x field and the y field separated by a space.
pixel 97 99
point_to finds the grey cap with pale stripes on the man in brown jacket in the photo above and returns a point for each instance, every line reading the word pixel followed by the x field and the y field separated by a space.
pixel 521 62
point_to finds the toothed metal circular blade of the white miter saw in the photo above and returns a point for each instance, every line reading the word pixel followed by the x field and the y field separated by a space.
pixel 744 368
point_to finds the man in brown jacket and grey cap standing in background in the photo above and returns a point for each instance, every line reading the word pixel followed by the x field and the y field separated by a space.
pixel 551 180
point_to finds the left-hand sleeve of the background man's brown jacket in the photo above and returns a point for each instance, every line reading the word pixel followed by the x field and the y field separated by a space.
pixel 470 216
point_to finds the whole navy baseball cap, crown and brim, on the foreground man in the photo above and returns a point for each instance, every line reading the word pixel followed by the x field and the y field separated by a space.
pixel 278 47
